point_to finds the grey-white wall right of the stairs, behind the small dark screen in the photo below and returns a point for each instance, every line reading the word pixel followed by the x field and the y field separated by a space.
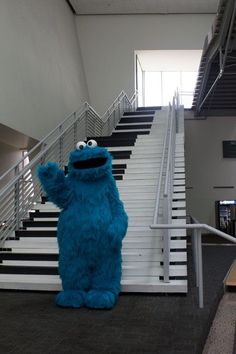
pixel 206 167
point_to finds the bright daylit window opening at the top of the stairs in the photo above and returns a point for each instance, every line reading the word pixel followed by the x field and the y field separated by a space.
pixel 161 73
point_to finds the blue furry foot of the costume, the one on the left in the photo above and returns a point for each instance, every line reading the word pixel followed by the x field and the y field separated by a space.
pixel 70 298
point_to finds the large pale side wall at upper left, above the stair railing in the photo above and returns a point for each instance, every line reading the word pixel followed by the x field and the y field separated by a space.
pixel 41 73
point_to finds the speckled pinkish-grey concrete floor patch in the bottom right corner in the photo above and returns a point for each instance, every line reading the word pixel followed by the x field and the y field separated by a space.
pixel 222 334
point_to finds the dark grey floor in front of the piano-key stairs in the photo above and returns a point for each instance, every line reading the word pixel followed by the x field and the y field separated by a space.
pixel 139 323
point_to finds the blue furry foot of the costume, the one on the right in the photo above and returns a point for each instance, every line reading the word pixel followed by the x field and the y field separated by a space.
pixel 99 299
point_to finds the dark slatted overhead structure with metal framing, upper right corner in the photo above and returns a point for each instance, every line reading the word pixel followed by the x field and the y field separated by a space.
pixel 216 85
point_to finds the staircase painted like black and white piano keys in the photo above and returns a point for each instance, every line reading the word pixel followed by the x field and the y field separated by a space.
pixel 29 260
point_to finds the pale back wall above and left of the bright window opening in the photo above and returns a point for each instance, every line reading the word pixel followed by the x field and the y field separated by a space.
pixel 108 44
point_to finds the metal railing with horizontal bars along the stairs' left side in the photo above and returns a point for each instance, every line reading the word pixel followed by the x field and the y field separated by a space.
pixel 21 188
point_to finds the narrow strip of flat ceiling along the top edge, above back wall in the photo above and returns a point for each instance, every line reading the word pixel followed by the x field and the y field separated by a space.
pixel 102 7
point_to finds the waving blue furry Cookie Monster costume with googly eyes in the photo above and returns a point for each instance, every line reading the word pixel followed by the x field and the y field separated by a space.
pixel 91 227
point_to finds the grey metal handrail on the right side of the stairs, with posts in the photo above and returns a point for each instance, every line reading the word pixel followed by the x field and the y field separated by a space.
pixel 163 210
